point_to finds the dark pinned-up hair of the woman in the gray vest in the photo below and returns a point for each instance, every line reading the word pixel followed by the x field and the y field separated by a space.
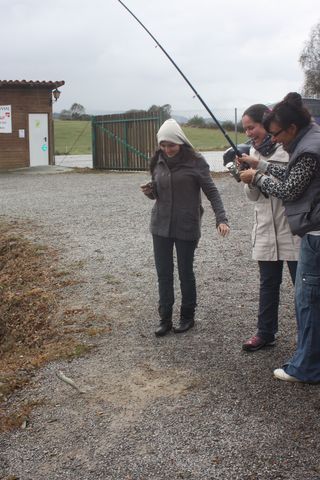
pixel 287 112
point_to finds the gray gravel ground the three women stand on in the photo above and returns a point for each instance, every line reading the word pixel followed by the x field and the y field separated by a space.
pixel 192 406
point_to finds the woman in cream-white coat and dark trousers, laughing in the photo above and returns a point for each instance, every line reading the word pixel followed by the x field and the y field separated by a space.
pixel 272 240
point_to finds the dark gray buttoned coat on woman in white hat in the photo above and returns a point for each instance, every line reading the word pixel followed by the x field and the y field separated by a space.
pixel 177 211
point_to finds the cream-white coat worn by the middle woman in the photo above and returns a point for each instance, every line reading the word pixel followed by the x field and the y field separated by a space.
pixel 271 235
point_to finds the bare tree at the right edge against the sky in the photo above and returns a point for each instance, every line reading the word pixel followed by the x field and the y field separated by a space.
pixel 310 62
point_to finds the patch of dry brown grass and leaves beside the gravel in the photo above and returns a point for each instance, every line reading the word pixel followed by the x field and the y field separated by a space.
pixel 32 329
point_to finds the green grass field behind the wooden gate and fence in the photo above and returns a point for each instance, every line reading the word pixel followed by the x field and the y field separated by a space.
pixel 74 138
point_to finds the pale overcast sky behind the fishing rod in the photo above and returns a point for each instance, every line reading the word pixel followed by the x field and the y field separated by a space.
pixel 234 52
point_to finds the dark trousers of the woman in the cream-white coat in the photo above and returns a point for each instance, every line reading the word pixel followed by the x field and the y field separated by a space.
pixel 270 281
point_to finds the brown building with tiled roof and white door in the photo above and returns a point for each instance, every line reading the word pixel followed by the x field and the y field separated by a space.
pixel 26 125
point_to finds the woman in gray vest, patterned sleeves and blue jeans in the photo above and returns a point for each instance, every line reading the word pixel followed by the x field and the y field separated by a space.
pixel 298 186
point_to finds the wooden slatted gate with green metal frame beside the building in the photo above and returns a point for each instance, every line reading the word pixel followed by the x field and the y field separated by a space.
pixel 124 141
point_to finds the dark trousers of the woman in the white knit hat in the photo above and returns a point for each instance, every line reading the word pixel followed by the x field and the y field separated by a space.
pixel 163 255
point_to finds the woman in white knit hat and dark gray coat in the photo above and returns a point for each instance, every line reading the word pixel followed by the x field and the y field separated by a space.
pixel 178 176
